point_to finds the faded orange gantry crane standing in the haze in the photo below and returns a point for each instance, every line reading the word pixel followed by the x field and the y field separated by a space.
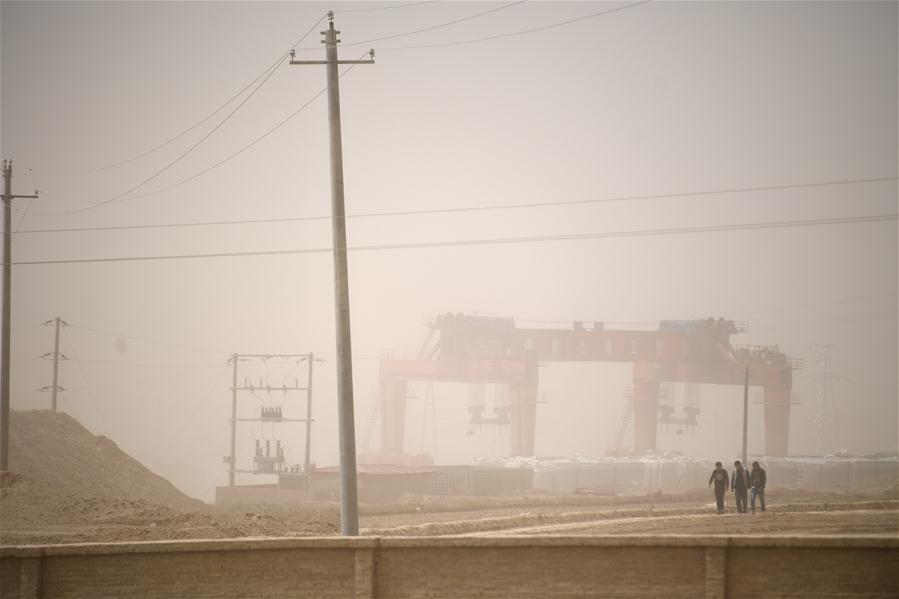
pixel 478 349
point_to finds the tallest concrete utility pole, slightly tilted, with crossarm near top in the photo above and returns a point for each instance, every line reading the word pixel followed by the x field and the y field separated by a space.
pixel 349 505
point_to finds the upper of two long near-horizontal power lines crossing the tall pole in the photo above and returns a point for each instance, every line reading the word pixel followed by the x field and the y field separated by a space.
pixel 429 211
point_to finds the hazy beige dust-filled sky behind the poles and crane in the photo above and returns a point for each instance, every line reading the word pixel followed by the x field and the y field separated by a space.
pixel 670 99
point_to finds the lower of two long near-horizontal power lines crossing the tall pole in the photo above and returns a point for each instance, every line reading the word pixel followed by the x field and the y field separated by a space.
pixel 493 241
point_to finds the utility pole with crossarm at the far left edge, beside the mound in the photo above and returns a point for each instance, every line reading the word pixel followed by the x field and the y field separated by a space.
pixel 8 197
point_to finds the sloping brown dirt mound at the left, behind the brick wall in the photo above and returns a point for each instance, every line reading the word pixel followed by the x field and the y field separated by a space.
pixel 61 460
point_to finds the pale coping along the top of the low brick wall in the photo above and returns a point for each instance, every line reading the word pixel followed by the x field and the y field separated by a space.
pixel 496 541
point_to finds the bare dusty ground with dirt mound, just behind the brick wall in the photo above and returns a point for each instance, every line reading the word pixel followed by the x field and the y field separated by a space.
pixel 83 488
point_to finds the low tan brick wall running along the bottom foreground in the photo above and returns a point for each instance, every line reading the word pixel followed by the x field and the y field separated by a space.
pixel 461 567
